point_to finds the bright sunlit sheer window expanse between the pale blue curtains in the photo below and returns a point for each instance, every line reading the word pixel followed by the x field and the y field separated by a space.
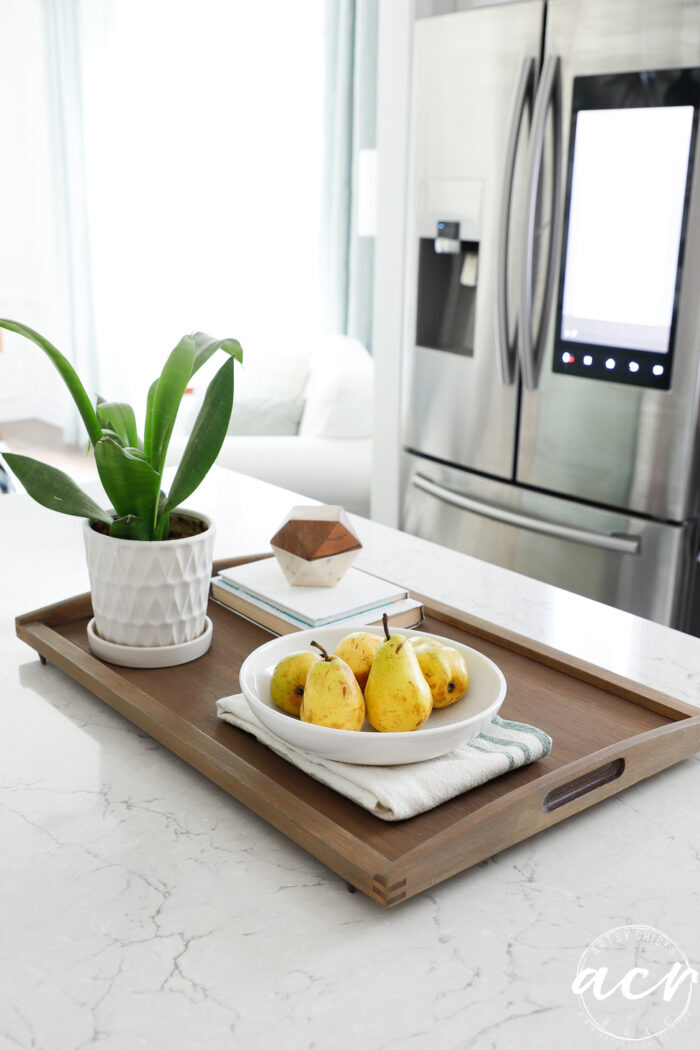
pixel 203 137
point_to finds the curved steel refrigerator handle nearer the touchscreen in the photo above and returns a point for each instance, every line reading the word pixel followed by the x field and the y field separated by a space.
pixel 549 96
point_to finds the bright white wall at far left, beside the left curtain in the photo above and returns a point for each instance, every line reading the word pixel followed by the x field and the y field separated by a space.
pixel 30 388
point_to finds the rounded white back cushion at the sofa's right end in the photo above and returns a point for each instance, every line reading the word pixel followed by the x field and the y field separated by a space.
pixel 340 393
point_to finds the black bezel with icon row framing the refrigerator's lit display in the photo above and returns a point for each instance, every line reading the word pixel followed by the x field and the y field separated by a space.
pixel 648 89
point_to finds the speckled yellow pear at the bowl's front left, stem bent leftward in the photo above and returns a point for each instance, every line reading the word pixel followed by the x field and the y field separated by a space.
pixel 332 697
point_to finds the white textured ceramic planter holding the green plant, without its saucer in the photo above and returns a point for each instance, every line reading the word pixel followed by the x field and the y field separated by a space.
pixel 151 594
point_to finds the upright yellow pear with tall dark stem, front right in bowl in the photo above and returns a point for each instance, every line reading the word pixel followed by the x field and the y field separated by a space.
pixel 397 697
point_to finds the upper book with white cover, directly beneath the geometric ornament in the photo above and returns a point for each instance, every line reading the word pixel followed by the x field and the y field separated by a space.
pixel 357 593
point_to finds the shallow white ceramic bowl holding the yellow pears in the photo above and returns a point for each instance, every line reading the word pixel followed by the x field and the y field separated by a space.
pixel 446 729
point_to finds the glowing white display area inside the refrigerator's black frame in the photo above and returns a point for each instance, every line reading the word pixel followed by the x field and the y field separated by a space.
pixel 628 193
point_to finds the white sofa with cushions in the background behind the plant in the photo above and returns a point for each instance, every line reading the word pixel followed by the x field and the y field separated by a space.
pixel 303 422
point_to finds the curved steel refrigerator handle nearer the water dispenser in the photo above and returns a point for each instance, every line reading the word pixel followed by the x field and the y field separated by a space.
pixel 524 98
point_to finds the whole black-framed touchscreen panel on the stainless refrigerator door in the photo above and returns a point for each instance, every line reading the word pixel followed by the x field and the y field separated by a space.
pixel 627 198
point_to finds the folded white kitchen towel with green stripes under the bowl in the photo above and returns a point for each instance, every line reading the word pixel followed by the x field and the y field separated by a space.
pixel 398 792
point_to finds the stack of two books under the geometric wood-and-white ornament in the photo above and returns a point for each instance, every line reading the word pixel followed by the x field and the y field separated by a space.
pixel 260 592
